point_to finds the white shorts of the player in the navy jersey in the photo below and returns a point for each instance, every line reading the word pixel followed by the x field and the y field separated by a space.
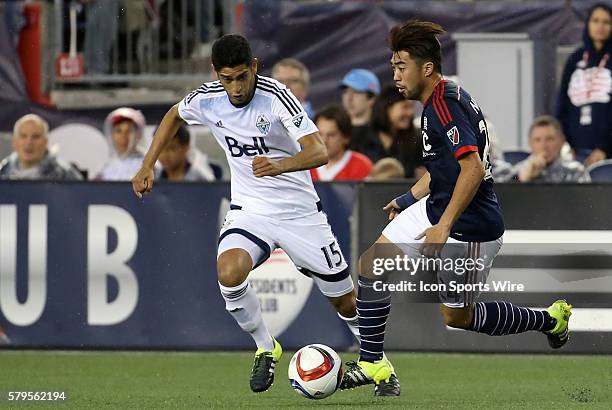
pixel 405 227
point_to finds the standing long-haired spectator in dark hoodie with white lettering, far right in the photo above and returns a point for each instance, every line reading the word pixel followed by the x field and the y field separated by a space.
pixel 584 107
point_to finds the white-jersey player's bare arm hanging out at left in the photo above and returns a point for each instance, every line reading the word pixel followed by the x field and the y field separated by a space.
pixel 143 180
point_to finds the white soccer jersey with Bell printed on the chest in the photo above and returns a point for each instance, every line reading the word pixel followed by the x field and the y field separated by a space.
pixel 269 125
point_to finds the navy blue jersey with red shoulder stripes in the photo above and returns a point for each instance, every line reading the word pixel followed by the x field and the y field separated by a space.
pixel 452 126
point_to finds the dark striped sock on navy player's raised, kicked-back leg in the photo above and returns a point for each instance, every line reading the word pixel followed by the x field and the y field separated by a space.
pixel 503 318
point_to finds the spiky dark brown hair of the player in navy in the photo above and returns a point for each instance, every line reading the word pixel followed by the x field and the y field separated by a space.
pixel 418 38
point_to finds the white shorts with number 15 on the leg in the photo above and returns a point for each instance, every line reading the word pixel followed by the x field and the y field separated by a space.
pixel 308 241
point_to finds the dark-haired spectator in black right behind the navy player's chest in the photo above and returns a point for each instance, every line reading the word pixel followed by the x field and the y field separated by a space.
pixel 392 120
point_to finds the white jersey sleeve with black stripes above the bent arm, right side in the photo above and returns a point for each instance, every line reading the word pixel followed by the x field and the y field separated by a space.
pixel 292 115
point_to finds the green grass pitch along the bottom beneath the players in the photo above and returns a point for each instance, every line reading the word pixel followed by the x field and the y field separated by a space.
pixel 220 380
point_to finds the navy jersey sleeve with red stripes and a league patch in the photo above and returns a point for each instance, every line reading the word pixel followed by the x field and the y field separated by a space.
pixel 456 129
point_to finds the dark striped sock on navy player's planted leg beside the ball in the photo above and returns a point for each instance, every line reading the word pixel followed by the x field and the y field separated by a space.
pixel 373 308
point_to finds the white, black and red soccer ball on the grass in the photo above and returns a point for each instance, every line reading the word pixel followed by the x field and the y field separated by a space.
pixel 315 371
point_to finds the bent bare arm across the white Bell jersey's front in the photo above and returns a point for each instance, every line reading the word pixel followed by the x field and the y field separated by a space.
pixel 312 155
